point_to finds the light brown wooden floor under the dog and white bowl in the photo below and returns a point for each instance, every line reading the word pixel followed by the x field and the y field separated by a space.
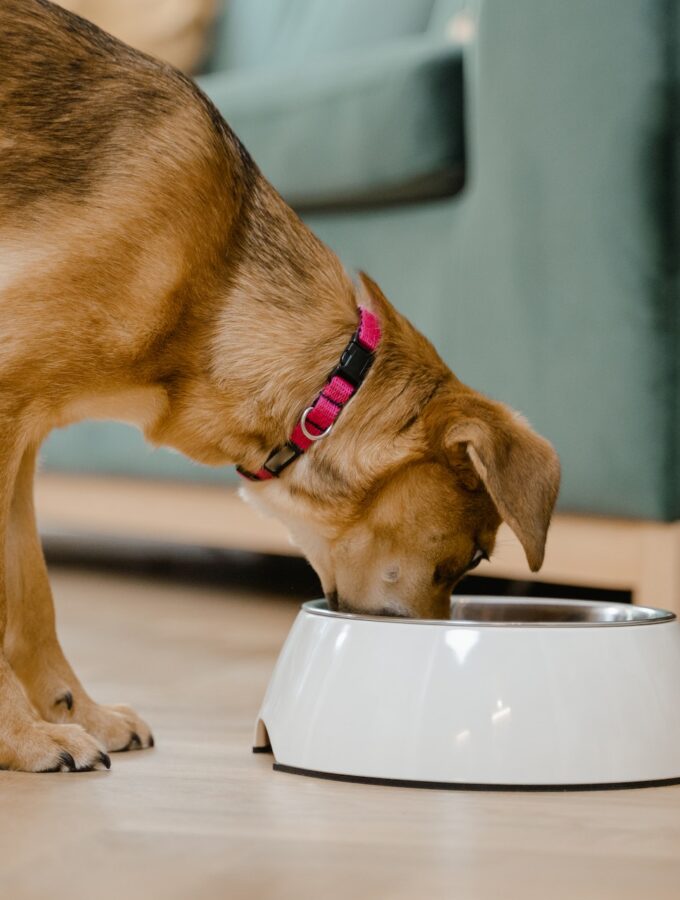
pixel 201 817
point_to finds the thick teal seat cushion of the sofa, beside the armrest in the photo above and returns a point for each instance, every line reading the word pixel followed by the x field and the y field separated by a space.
pixel 379 125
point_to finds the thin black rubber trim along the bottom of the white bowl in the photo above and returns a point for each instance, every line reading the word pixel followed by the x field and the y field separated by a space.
pixel 463 786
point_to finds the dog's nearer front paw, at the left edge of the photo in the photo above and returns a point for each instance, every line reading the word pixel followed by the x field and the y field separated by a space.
pixel 43 747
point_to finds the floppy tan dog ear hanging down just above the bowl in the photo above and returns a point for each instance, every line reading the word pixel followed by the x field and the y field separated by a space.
pixel 520 469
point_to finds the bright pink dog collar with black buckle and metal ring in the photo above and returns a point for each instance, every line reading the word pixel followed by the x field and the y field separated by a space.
pixel 318 419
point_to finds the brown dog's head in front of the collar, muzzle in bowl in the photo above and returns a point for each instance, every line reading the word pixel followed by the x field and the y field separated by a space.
pixel 407 496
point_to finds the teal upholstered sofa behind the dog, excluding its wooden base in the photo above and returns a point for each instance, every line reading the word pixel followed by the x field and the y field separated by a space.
pixel 509 172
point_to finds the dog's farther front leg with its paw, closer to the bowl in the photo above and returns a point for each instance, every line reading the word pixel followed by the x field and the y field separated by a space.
pixel 32 646
